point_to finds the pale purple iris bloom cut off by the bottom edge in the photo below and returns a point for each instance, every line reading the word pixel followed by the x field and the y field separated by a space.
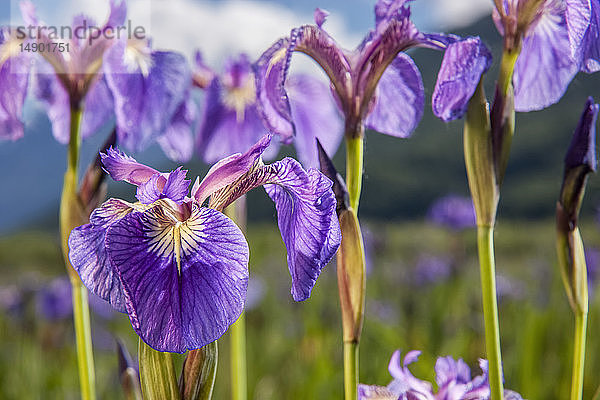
pixel 453 379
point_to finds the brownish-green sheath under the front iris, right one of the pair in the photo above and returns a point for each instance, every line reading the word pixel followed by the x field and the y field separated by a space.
pixel 199 373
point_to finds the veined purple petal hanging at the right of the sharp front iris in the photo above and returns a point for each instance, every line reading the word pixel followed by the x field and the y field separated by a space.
pixel 307 221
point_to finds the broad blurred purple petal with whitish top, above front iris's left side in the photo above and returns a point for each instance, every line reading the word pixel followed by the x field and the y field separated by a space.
pixel 147 88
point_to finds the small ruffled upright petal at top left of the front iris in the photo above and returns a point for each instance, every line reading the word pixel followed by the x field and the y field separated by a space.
pixel 122 167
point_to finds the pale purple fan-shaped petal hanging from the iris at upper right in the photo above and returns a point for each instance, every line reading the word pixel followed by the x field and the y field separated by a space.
pixel 545 67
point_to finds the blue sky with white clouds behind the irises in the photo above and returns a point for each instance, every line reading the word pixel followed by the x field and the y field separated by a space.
pixel 33 167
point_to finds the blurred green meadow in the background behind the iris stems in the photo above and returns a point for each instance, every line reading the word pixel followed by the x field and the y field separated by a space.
pixel 293 348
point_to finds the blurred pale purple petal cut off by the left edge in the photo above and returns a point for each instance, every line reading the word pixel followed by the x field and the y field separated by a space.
pixel 14 81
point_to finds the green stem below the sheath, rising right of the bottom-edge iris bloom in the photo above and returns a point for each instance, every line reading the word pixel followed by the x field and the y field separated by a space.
pixel 485 245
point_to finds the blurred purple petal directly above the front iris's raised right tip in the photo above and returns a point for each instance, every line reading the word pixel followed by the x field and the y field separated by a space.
pixel 223 131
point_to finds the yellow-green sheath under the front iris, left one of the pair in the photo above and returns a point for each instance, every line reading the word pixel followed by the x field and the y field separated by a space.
pixel 157 374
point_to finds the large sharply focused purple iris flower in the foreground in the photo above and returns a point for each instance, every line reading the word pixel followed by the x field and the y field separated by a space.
pixel 180 269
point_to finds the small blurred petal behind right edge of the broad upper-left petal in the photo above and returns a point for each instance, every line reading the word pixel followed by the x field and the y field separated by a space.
pixel 178 140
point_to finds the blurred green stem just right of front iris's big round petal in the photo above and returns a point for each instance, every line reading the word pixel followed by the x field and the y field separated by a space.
pixel 237 331
